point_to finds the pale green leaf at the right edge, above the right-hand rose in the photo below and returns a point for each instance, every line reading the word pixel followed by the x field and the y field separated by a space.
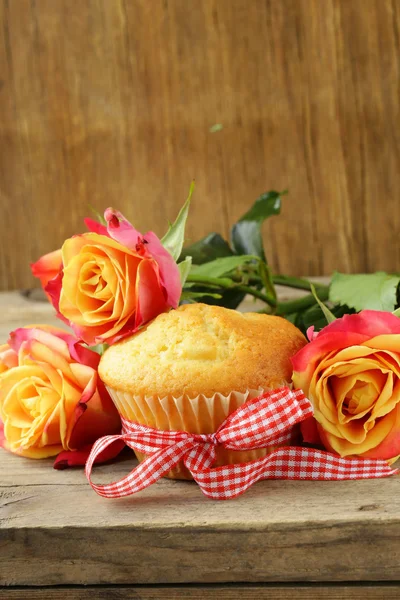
pixel 375 291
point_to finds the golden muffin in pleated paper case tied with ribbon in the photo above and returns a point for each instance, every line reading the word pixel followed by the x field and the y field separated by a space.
pixel 188 369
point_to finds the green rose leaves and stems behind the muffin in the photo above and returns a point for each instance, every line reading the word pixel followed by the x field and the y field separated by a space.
pixel 223 273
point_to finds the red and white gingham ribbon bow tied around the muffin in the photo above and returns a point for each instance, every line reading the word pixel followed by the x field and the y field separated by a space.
pixel 260 423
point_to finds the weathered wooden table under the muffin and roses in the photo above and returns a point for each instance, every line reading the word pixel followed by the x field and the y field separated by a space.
pixel 282 539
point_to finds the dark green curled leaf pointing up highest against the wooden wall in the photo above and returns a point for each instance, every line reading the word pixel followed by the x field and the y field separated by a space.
pixel 246 235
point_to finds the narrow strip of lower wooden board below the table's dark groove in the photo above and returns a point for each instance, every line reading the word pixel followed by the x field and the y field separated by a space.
pixel 224 592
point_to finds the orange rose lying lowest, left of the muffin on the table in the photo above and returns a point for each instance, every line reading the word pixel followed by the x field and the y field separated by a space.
pixel 52 400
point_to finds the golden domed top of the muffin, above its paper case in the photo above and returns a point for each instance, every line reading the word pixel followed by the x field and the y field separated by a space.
pixel 202 349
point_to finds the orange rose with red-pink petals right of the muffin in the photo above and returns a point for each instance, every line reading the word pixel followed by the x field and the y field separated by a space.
pixel 350 372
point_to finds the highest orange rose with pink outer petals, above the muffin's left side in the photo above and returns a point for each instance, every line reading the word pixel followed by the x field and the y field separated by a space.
pixel 113 280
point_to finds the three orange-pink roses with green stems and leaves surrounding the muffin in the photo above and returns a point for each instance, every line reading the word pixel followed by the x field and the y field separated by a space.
pixel 107 283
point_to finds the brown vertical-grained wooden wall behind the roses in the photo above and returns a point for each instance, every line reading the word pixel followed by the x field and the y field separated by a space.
pixel 110 102
